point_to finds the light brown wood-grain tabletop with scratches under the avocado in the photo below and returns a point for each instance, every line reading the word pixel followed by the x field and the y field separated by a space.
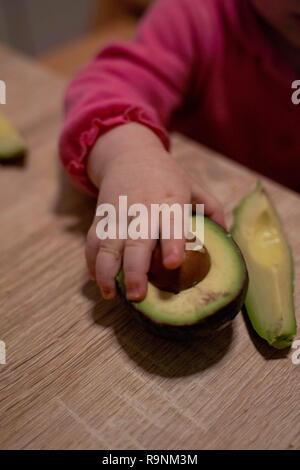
pixel 80 372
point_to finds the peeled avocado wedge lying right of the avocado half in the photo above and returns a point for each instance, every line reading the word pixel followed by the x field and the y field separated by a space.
pixel 259 232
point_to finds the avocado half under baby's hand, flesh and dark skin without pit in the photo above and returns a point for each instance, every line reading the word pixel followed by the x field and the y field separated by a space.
pixel 205 307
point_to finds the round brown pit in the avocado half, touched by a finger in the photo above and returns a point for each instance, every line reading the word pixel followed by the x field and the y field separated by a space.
pixel 193 269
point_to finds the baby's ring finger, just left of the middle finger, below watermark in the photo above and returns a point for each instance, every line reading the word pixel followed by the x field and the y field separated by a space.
pixel 108 264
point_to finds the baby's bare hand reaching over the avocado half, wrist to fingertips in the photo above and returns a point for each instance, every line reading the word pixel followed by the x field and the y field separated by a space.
pixel 130 160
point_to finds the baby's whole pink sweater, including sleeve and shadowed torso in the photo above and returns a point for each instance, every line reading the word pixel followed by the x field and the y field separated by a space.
pixel 204 67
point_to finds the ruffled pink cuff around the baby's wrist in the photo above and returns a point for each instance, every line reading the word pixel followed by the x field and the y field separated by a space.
pixel 77 140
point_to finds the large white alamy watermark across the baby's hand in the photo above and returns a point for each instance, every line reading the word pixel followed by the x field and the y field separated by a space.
pixel 163 221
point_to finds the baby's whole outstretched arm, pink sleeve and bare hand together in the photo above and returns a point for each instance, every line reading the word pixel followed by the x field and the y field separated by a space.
pixel 114 141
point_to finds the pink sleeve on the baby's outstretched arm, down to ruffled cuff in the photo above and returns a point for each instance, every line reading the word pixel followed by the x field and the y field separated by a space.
pixel 144 81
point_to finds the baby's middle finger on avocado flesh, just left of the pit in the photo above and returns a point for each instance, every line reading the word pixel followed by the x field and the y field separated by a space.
pixel 136 264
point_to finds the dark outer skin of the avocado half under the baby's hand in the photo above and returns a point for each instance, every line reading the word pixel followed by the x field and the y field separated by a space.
pixel 202 328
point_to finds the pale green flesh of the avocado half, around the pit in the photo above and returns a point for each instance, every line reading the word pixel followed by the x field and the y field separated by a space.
pixel 225 280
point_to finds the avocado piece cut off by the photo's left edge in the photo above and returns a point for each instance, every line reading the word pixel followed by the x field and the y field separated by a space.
pixel 12 146
